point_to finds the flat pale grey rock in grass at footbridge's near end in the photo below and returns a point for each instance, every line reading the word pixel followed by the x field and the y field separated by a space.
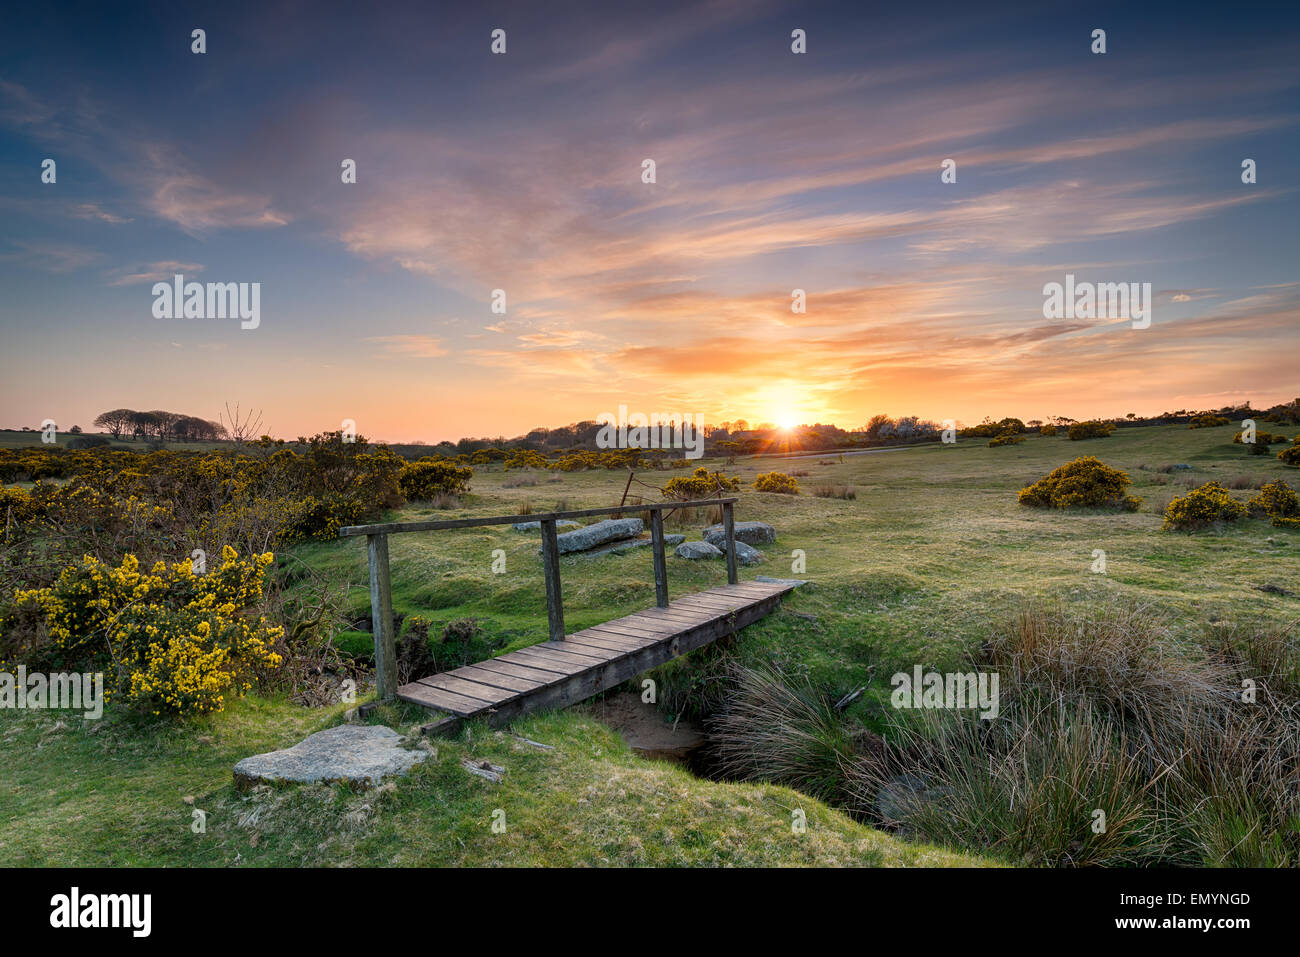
pixel 358 755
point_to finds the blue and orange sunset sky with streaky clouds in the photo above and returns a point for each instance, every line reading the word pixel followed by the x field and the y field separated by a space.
pixel 523 172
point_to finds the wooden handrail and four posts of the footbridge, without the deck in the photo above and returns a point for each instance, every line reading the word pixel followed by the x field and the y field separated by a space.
pixel 382 586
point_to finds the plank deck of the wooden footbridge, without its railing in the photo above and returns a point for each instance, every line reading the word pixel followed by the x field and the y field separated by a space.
pixel 558 674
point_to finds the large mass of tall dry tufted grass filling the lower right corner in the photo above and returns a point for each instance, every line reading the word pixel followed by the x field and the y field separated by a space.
pixel 1106 712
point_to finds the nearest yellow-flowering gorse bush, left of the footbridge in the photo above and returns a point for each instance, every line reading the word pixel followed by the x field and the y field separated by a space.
pixel 168 640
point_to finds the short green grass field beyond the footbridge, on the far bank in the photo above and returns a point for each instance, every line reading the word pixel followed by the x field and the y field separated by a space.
pixel 913 570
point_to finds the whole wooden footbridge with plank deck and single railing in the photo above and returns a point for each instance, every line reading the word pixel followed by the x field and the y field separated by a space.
pixel 567 669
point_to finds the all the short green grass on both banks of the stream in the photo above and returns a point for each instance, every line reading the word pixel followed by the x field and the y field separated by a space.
pixel 915 570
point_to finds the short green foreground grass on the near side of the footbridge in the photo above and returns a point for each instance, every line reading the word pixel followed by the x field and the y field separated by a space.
pixel 118 798
